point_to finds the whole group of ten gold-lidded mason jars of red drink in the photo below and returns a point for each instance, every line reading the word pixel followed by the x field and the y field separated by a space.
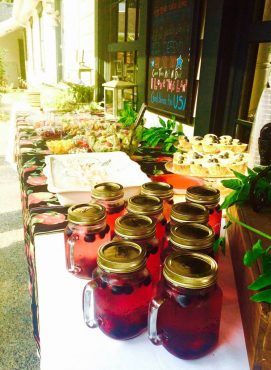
pixel 150 265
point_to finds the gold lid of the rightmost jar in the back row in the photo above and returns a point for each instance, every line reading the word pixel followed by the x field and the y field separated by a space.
pixel 202 194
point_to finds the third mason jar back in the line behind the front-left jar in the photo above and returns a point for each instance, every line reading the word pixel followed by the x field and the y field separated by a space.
pixel 153 207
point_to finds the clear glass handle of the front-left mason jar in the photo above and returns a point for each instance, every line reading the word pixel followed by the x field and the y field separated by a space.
pixel 89 304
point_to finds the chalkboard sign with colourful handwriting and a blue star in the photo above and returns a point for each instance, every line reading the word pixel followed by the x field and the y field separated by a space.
pixel 171 60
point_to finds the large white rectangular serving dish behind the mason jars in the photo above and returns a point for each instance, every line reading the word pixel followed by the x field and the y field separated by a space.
pixel 72 176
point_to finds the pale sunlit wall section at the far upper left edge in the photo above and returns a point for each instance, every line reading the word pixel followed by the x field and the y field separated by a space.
pixel 12 67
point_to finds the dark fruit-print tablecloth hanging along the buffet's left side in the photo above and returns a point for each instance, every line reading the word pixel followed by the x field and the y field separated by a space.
pixel 42 212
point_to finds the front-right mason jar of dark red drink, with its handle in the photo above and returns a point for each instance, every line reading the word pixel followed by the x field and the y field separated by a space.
pixel 185 316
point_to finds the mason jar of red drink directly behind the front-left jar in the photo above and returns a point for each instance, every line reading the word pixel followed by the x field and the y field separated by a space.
pixel 141 230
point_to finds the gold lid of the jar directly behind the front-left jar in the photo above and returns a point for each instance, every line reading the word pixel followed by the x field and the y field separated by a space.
pixel 135 226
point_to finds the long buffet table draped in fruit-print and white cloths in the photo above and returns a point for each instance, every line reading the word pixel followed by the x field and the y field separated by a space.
pixel 64 341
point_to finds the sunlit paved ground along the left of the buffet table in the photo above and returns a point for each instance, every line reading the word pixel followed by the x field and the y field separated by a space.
pixel 17 345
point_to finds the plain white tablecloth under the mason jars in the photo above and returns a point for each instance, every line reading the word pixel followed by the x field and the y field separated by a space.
pixel 68 344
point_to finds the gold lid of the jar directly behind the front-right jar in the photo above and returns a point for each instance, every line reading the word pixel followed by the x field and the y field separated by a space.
pixel 191 236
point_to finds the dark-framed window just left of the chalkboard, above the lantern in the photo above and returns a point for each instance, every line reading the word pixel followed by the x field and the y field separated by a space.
pixel 126 48
